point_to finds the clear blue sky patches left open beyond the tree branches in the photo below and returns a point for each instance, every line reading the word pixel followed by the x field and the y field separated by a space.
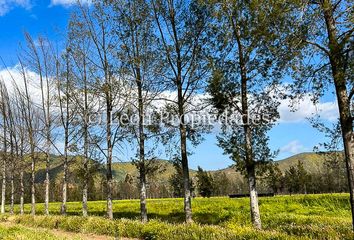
pixel 293 134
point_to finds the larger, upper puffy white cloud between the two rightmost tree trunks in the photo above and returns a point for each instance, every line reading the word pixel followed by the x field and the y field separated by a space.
pixel 306 109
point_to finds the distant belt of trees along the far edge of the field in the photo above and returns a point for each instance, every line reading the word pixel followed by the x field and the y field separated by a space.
pixel 330 178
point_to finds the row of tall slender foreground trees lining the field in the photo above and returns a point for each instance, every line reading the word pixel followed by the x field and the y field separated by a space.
pixel 133 72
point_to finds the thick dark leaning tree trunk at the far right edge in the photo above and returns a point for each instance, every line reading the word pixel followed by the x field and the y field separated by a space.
pixel 337 61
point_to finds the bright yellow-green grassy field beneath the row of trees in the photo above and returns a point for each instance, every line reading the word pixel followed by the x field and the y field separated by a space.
pixel 325 216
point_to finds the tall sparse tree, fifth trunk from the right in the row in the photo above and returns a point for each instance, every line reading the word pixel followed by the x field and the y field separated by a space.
pixel 111 88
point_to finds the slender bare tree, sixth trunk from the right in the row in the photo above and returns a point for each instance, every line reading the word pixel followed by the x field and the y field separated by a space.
pixel 86 100
